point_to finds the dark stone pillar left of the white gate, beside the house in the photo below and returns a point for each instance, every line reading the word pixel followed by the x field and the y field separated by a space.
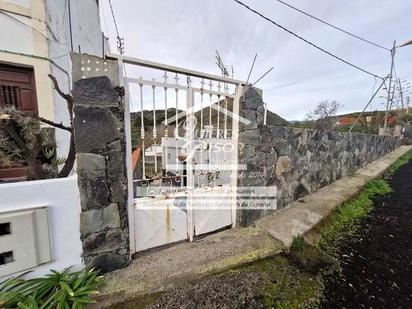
pixel 101 168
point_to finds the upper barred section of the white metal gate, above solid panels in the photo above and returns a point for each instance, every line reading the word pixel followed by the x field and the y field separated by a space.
pixel 208 119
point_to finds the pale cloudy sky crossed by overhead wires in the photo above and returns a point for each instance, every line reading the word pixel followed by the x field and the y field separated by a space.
pixel 186 33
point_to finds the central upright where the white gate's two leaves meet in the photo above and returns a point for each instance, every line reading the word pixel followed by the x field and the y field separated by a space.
pixel 189 159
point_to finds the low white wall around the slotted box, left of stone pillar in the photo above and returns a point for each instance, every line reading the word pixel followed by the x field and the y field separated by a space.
pixel 61 196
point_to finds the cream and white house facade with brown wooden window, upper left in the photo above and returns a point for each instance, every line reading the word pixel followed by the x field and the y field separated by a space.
pixel 37 37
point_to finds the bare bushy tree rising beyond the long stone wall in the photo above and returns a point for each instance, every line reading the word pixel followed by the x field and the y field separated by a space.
pixel 323 116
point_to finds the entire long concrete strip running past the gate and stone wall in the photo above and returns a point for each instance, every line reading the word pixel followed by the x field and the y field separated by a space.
pixel 169 268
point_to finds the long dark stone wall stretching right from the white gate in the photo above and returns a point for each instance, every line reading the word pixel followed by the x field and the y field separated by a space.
pixel 298 161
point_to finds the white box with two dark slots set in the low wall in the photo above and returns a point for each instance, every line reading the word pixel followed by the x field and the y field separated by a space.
pixel 24 240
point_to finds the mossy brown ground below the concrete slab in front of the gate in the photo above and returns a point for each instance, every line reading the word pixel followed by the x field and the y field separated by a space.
pixel 262 284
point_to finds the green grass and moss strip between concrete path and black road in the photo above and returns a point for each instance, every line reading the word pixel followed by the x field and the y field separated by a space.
pixel 297 279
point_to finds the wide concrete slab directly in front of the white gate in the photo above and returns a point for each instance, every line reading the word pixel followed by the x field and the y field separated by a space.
pixel 174 266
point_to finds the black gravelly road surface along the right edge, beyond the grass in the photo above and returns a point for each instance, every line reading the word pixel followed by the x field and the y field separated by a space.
pixel 377 269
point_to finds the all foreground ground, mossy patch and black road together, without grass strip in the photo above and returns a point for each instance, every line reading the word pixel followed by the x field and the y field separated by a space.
pixel 376 269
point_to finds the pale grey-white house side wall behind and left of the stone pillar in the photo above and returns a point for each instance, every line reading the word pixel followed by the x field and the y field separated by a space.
pixel 86 36
